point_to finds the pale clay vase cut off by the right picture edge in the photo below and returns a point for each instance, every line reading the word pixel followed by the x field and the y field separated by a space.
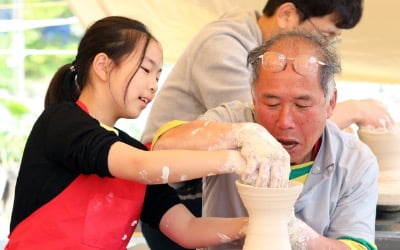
pixel 385 144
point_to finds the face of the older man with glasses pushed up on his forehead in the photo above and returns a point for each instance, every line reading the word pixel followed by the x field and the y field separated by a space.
pixel 291 106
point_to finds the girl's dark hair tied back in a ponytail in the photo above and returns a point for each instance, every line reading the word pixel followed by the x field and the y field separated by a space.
pixel 116 36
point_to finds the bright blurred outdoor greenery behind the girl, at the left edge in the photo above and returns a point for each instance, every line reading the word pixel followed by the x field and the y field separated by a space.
pixel 17 117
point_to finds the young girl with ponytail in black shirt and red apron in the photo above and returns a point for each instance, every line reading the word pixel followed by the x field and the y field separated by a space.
pixel 82 182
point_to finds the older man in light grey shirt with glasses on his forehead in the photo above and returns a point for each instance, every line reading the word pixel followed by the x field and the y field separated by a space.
pixel 294 95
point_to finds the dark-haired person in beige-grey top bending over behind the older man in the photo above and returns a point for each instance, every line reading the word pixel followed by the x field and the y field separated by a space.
pixel 213 70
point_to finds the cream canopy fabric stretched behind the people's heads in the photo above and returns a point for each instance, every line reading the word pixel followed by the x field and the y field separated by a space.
pixel 370 52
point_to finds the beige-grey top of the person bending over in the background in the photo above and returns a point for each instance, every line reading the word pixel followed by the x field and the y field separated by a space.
pixel 210 71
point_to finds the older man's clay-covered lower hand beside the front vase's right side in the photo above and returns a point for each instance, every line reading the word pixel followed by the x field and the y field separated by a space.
pixel 299 233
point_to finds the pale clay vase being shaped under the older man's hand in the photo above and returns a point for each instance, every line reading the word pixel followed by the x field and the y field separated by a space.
pixel 269 210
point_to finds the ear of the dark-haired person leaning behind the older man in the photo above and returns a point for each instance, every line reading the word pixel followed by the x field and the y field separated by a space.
pixel 287 16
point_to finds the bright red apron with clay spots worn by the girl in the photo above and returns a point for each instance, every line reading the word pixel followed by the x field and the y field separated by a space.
pixel 91 213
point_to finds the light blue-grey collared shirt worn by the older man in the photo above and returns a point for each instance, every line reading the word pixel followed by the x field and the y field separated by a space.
pixel 339 196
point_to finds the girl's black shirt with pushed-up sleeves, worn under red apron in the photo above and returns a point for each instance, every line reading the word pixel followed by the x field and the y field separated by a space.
pixel 65 142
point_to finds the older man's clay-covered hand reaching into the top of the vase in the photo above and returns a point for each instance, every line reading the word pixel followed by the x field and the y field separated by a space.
pixel 267 162
